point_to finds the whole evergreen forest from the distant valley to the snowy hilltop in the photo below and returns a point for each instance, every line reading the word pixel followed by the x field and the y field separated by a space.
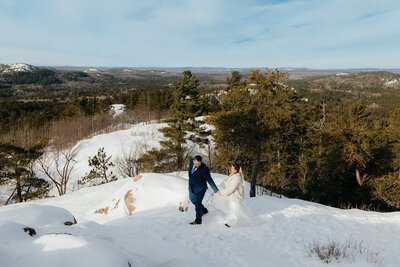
pixel 330 139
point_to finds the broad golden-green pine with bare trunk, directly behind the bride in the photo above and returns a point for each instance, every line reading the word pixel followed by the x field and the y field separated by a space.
pixel 253 113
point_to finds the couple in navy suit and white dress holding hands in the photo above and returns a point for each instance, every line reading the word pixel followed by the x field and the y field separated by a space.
pixel 229 197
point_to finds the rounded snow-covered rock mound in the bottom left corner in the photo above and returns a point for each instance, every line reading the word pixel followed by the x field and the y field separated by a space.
pixel 35 235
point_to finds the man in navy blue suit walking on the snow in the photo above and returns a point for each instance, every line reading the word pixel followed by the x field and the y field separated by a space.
pixel 199 174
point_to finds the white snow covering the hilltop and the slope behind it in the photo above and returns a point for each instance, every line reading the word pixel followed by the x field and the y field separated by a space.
pixel 144 221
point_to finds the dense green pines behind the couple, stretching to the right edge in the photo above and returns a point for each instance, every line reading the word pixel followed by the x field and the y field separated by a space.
pixel 345 155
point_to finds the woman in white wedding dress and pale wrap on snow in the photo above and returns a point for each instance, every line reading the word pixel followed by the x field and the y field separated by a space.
pixel 232 195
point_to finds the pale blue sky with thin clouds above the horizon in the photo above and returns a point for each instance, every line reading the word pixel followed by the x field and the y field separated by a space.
pixel 213 33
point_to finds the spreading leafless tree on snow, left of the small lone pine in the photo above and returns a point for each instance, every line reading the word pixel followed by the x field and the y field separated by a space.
pixel 57 164
